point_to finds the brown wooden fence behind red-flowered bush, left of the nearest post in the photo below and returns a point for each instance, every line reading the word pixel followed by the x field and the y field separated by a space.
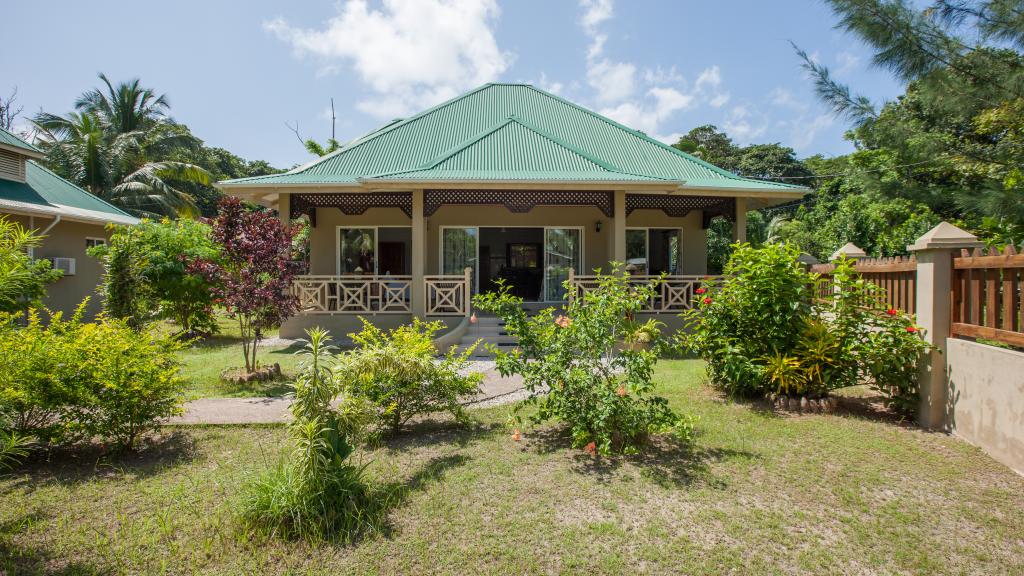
pixel 895 276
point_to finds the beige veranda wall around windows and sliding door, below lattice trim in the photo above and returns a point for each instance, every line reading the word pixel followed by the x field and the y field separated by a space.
pixel 596 244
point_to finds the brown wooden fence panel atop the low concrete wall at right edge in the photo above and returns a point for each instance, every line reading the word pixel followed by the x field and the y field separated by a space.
pixel 987 296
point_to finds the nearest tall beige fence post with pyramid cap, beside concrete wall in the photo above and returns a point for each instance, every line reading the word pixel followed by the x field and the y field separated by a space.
pixel 935 253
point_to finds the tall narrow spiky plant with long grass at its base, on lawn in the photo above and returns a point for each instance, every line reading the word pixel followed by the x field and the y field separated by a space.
pixel 318 492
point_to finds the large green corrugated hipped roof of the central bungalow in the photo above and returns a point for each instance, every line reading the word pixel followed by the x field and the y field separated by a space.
pixel 510 133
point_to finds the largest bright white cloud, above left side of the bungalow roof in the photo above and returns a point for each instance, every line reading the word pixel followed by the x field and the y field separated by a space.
pixel 413 54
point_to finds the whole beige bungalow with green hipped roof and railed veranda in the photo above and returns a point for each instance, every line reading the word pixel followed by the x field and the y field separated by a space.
pixel 506 183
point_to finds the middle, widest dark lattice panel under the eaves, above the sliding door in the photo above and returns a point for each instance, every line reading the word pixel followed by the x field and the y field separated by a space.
pixel 520 201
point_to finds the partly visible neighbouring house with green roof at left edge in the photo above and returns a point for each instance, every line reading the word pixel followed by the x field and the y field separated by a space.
pixel 70 219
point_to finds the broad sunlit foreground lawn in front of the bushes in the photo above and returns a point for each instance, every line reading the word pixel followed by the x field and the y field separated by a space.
pixel 758 493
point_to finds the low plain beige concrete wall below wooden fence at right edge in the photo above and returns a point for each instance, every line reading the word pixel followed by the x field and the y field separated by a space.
pixel 987 397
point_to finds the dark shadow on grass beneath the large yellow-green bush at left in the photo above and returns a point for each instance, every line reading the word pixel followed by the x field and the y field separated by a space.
pixel 69 466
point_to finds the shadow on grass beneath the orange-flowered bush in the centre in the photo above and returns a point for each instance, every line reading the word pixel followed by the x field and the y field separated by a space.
pixel 666 461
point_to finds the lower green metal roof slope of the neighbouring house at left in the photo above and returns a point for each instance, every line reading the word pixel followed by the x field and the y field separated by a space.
pixel 46 192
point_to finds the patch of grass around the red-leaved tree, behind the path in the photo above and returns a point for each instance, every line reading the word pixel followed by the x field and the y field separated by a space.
pixel 205 360
